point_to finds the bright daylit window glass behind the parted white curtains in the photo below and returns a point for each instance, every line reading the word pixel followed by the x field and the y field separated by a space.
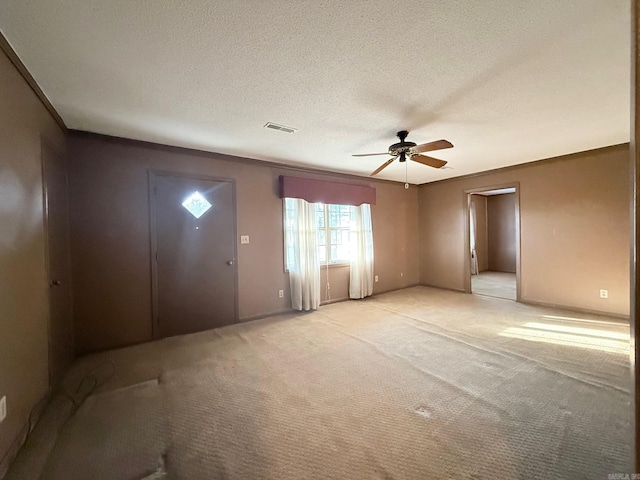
pixel 332 229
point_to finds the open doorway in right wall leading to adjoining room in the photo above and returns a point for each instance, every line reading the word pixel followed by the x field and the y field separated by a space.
pixel 492 246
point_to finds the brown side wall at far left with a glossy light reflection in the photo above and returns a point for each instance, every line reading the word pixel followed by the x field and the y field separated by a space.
pixel 23 277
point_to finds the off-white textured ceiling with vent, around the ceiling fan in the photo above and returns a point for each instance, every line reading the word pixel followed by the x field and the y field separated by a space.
pixel 505 81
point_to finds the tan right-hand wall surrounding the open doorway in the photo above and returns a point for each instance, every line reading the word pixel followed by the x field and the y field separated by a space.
pixel 574 220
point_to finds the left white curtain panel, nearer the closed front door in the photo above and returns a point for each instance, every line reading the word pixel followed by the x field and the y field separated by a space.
pixel 304 266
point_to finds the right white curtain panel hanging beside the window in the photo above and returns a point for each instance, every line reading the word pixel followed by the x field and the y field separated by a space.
pixel 361 264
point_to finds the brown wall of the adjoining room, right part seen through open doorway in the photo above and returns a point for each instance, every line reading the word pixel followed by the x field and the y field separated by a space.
pixel 501 232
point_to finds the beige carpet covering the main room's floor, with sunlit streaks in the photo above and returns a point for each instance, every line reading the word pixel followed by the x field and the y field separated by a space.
pixel 414 384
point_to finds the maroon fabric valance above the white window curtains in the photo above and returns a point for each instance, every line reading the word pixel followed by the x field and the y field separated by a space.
pixel 321 191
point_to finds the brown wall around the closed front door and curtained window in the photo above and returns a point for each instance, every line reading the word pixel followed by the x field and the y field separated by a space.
pixel 110 235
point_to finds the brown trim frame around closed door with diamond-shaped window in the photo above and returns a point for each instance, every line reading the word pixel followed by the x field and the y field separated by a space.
pixel 153 252
